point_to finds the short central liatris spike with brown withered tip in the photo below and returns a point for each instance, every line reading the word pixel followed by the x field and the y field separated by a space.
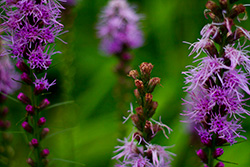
pixel 139 151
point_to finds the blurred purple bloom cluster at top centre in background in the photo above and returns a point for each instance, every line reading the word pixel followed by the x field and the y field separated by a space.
pixel 118 28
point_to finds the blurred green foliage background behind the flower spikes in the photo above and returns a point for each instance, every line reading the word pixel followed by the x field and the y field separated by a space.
pixel 86 131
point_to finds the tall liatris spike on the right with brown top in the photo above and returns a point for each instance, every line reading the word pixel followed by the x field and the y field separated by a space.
pixel 216 86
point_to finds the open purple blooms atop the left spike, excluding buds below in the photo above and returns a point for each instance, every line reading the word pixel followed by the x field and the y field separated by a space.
pixel 31 25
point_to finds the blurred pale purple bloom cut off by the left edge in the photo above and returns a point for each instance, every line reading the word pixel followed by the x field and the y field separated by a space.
pixel 7 74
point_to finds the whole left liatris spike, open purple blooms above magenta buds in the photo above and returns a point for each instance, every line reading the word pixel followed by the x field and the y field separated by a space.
pixel 30 27
